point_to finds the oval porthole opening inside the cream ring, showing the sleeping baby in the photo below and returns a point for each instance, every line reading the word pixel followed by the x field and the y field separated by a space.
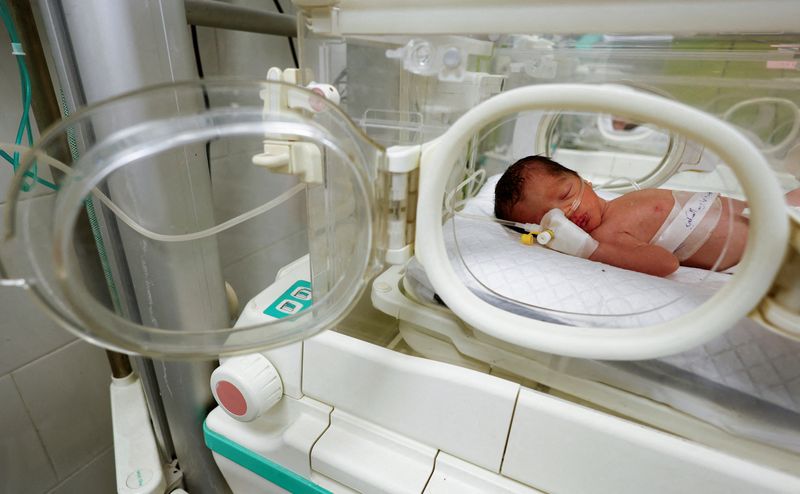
pixel 611 157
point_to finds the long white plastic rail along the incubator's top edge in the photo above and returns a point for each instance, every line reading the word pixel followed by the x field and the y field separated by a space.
pixel 573 16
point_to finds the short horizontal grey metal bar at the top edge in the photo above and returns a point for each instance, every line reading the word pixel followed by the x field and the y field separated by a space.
pixel 211 13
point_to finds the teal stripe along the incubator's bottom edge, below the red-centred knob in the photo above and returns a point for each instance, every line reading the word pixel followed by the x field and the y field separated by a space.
pixel 264 468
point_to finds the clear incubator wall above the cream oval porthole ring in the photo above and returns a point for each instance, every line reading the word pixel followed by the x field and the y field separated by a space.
pixel 748 80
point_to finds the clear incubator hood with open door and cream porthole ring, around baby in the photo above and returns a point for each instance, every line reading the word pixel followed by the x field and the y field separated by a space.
pixel 218 179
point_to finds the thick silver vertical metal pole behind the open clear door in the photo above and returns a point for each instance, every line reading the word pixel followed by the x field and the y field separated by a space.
pixel 119 46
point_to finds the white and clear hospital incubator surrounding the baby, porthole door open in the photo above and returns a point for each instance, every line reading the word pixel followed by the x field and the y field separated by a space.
pixel 368 175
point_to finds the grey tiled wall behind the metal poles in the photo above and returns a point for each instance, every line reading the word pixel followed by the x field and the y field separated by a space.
pixel 55 419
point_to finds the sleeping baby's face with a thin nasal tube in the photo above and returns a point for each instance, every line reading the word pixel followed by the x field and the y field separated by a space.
pixel 566 192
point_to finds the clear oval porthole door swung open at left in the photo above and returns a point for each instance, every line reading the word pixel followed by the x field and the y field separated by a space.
pixel 129 217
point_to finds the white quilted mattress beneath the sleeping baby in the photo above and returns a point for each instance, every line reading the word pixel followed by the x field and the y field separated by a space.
pixel 754 362
